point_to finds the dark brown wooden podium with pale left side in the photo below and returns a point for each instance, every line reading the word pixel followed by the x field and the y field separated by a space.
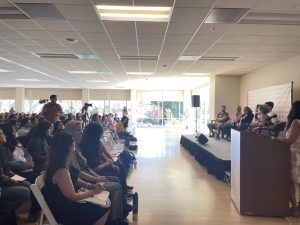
pixel 260 175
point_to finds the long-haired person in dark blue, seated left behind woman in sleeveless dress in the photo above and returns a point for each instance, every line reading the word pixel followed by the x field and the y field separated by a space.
pixel 38 146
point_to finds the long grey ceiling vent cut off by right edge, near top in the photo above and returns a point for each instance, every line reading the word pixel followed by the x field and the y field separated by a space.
pixel 271 18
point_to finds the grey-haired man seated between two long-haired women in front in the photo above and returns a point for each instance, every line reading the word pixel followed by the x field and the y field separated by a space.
pixel 88 176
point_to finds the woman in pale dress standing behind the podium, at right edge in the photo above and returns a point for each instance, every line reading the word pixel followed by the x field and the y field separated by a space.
pixel 293 139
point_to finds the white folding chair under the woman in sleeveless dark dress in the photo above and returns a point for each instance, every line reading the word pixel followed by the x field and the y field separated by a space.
pixel 47 217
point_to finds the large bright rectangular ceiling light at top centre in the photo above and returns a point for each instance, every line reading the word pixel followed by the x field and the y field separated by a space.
pixel 134 13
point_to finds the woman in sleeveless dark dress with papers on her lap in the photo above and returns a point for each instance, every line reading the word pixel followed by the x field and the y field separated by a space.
pixel 59 190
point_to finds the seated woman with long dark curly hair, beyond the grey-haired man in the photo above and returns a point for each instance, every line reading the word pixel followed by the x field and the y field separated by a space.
pixel 91 148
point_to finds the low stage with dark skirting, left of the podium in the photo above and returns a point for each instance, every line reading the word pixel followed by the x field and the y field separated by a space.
pixel 214 155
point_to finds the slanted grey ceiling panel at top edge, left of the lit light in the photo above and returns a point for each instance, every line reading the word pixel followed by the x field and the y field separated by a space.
pixel 40 11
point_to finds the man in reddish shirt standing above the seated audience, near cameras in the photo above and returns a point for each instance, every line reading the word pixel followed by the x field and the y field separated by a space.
pixel 52 110
